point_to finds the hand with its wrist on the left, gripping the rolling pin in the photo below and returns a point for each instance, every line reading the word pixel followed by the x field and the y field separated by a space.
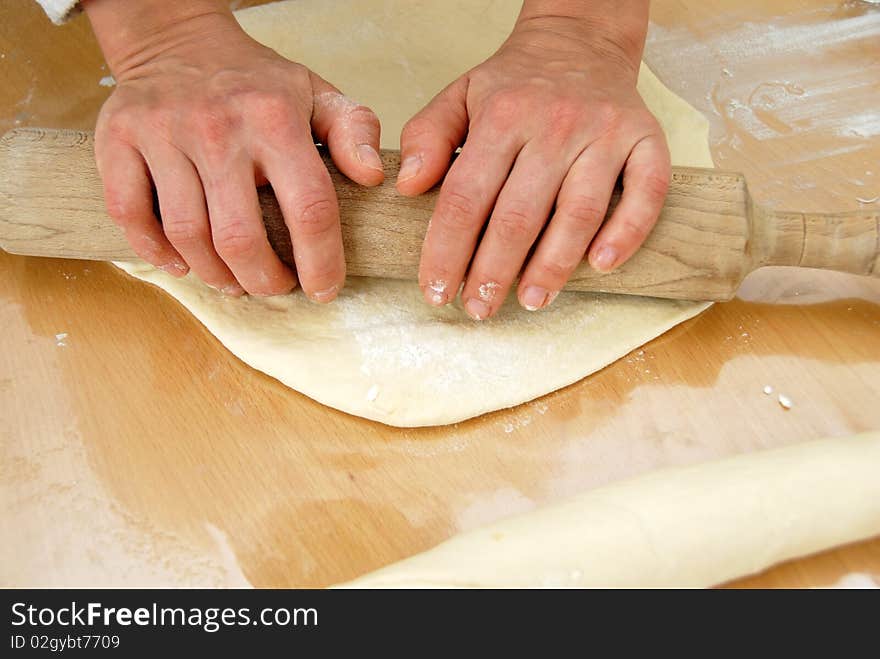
pixel 206 114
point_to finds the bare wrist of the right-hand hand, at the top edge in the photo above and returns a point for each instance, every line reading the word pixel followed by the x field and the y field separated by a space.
pixel 614 28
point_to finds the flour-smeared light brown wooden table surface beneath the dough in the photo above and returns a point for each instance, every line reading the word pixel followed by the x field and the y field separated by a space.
pixel 137 451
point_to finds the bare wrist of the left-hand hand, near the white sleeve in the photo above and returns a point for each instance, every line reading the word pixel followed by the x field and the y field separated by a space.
pixel 133 33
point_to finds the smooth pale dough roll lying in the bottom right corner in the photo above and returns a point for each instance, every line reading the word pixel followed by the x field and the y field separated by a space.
pixel 695 526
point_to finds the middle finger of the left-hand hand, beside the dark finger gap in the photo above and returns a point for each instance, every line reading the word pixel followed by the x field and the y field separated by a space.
pixel 237 230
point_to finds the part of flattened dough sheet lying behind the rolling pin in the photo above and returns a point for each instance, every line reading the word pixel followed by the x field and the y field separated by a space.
pixel 396 55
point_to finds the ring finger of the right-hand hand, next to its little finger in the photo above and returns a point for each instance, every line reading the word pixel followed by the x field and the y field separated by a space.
pixel 580 210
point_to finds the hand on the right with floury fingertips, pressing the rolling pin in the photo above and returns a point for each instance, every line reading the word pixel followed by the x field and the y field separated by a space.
pixel 550 120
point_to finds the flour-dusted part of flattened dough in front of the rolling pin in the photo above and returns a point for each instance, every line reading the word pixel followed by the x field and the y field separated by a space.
pixel 380 352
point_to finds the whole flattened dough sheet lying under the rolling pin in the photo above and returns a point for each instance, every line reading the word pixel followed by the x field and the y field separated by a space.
pixel 379 351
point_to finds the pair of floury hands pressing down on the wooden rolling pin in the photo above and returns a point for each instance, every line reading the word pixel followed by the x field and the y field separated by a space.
pixel 206 114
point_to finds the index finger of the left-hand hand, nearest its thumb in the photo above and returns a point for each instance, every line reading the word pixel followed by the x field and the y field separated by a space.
pixel 308 201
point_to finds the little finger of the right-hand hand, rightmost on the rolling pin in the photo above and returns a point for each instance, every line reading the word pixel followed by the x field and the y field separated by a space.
pixel 645 183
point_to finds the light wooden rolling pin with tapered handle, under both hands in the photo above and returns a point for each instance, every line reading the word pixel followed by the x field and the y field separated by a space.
pixel 710 234
